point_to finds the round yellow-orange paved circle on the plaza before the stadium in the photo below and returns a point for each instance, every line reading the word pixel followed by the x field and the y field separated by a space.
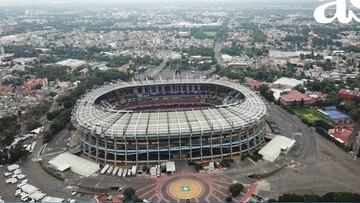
pixel 186 189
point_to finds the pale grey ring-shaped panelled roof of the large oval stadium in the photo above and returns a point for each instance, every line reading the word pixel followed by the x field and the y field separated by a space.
pixel 132 124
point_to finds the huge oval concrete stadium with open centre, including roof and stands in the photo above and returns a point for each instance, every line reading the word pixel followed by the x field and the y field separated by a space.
pixel 152 121
